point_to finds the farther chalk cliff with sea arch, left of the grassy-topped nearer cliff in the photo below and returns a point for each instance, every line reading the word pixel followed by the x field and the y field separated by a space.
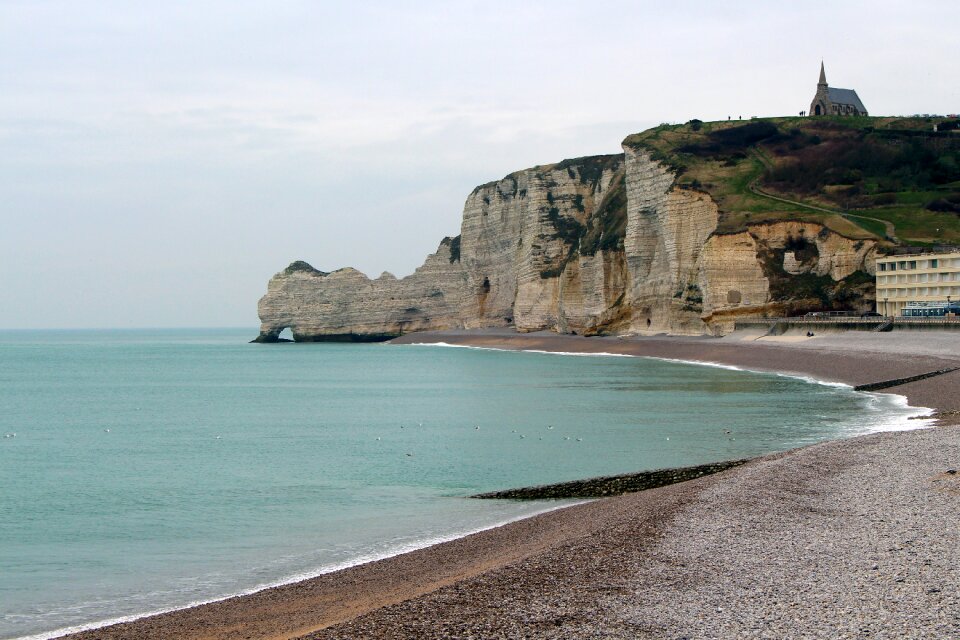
pixel 539 249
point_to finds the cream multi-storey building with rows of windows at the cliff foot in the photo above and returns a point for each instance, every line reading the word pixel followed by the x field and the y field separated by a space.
pixel 929 277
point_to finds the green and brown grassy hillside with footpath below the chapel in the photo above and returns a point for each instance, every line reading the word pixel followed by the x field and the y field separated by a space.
pixel 887 178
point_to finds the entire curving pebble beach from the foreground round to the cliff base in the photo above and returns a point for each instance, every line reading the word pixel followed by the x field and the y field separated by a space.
pixel 856 537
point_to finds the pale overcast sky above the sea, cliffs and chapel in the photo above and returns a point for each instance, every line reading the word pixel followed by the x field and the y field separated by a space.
pixel 160 161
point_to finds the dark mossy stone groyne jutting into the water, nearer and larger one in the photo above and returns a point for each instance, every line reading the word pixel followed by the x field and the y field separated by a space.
pixel 605 486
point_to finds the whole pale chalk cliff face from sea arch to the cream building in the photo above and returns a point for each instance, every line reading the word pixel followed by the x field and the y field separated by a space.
pixel 604 244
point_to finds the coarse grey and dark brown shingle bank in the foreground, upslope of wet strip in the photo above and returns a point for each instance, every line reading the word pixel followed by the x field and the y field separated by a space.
pixel 841 540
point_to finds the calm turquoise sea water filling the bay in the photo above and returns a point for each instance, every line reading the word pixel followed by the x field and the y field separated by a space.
pixel 155 469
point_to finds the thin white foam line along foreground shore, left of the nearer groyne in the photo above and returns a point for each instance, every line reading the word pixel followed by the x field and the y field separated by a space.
pixel 393 551
